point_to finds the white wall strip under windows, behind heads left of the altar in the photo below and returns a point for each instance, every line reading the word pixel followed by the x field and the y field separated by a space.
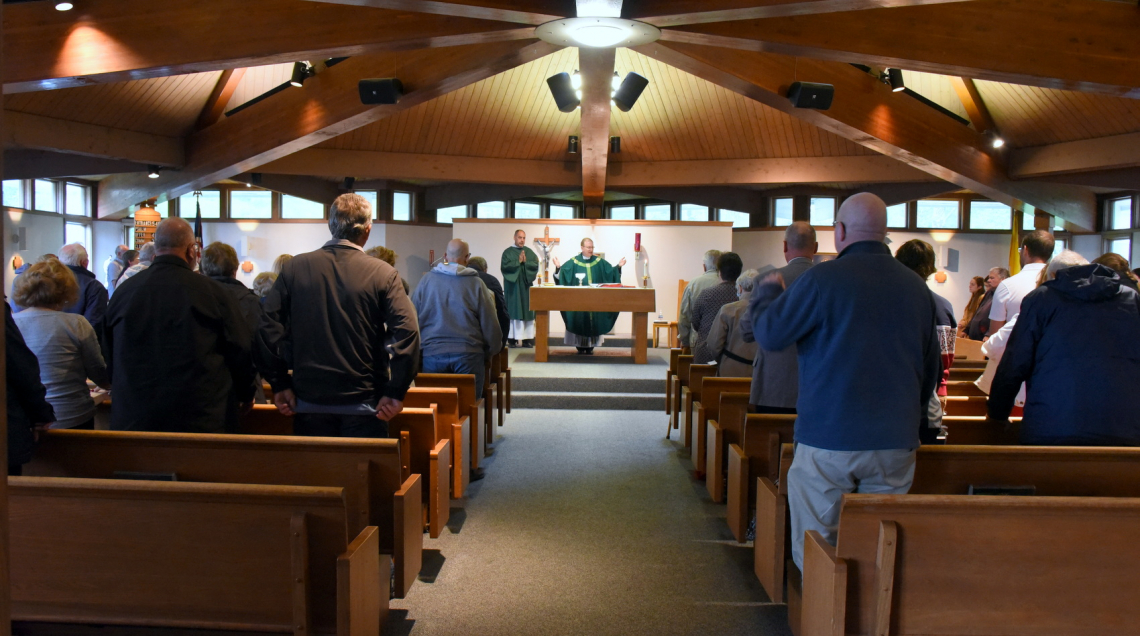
pixel 268 241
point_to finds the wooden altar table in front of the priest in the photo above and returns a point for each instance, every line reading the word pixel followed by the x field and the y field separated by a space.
pixel 638 301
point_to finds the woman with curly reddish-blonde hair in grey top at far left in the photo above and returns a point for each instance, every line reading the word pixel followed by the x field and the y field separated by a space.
pixel 64 344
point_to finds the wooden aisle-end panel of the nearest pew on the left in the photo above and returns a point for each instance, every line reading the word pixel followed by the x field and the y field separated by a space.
pixel 363 578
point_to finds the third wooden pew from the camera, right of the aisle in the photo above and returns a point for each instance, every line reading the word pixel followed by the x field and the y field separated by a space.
pixel 758 455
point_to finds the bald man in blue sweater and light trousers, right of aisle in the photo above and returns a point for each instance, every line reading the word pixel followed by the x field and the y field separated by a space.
pixel 869 361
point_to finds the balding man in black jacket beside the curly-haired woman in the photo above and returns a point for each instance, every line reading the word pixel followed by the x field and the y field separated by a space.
pixel 177 347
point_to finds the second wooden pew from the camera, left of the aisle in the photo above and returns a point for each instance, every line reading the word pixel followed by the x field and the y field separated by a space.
pixel 378 492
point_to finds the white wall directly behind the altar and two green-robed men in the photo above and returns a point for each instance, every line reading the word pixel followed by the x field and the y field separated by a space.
pixel 674 251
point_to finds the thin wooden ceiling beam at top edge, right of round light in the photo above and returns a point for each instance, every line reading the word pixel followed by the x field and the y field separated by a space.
pixel 679 13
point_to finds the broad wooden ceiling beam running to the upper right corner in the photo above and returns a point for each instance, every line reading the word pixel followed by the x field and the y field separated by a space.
pixel 1074 45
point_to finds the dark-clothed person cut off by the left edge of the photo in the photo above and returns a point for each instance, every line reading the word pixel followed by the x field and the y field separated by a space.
pixel 28 404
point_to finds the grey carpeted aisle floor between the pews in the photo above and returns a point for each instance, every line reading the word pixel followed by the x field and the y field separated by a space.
pixel 588 523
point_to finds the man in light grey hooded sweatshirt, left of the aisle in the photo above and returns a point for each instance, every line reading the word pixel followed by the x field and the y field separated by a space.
pixel 459 325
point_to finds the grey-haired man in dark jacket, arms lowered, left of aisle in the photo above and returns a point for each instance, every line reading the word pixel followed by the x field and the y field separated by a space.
pixel 352 330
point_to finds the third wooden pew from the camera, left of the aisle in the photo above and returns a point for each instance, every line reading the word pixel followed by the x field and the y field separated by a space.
pixel 425 453
